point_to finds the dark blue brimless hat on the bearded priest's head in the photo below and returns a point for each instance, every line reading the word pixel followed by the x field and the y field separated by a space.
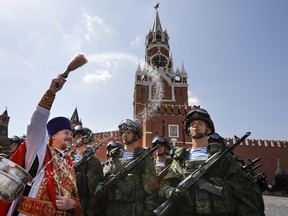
pixel 57 124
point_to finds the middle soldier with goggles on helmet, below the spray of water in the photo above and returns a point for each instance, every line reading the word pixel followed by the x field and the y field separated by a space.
pixel 142 195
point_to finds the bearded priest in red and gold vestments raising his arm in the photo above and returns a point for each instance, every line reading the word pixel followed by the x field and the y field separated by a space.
pixel 53 191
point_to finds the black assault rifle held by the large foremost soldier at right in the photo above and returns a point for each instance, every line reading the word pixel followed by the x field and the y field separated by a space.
pixel 196 178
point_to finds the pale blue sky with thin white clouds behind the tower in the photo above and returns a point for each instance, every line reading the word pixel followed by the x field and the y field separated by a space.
pixel 234 51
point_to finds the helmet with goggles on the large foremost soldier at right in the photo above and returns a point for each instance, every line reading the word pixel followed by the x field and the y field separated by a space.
pixel 198 114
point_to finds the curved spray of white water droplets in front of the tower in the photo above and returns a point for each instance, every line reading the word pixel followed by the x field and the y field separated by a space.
pixel 156 87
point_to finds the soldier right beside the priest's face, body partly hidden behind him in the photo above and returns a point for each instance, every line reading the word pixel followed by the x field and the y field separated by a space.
pixel 88 175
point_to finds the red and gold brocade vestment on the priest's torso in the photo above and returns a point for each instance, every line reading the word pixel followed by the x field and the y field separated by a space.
pixel 59 177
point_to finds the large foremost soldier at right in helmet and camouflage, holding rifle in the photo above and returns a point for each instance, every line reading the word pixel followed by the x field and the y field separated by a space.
pixel 239 197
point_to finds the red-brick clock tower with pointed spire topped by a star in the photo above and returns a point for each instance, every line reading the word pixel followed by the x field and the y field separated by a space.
pixel 160 91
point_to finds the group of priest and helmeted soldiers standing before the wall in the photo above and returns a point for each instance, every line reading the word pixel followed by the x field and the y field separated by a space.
pixel 53 149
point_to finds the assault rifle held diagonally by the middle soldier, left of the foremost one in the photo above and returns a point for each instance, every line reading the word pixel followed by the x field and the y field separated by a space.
pixel 117 179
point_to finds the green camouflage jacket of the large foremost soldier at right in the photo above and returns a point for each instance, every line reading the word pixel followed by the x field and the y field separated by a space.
pixel 240 195
